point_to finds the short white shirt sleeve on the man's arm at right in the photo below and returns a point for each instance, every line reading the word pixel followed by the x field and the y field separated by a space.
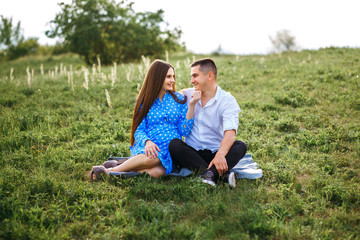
pixel 231 114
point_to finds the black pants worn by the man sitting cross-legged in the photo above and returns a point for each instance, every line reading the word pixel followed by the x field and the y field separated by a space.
pixel 184 155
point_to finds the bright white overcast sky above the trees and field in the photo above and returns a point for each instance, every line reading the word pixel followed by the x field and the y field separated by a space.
pixel 240 26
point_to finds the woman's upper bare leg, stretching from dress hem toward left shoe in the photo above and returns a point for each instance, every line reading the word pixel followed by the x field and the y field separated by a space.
pixel 136 164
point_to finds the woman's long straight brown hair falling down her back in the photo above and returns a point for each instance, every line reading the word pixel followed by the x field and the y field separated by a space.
pixel 150 90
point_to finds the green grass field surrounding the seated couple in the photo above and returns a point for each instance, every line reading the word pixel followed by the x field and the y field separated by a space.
pixel 300 119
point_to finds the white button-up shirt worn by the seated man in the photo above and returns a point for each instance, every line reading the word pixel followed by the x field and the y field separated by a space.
pixel 221 113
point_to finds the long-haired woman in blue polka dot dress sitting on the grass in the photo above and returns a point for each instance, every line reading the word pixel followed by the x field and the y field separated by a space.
pixel 160 115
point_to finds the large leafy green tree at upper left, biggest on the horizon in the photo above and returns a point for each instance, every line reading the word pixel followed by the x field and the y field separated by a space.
pixel 112 31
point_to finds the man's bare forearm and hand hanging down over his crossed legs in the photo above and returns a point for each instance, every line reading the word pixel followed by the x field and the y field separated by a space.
pixel 219 160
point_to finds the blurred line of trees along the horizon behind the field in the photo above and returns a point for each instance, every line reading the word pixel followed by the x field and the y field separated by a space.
pixel 108 30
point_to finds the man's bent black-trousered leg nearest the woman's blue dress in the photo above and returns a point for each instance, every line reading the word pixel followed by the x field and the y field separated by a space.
pixel 185 156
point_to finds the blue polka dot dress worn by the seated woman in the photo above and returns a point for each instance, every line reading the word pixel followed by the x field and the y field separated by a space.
pixel 165 121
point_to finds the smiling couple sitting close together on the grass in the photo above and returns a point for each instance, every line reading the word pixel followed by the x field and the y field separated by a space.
pixel 205 115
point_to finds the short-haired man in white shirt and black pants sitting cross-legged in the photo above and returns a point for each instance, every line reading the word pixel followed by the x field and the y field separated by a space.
pixel 210 147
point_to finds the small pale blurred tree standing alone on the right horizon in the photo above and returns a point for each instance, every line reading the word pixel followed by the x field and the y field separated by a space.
pixel 283 41
